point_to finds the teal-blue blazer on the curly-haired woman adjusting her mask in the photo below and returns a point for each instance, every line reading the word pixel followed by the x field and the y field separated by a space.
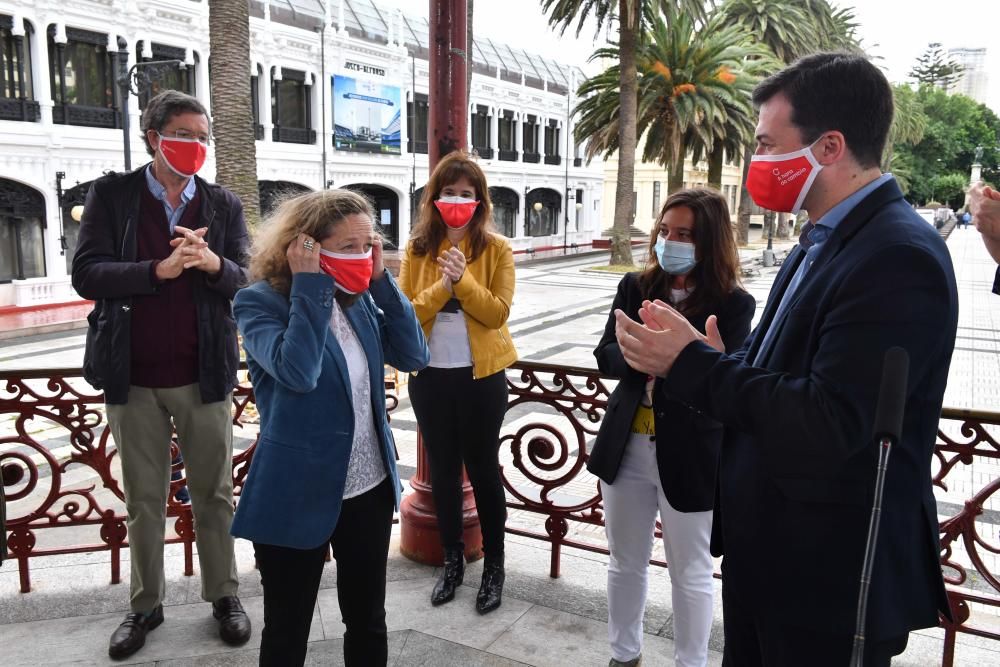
pixel 293 492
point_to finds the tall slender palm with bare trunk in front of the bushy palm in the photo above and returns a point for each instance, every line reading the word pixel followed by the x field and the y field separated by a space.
pixel 629 15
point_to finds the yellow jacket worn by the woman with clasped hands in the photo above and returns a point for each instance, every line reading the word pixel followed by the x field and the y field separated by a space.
pixel 485 292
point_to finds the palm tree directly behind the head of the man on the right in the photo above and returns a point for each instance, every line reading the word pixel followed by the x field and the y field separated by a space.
pixel 790 29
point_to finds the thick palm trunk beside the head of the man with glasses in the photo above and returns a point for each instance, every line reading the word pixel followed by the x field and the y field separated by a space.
pixel 232 114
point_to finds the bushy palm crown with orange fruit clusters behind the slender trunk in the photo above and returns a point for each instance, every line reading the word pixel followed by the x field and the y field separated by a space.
pixel 693 95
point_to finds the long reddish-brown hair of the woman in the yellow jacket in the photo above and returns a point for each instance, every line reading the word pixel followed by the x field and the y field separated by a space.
pixel 427 235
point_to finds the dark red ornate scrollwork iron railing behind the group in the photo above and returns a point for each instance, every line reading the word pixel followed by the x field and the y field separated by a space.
pixel 553 414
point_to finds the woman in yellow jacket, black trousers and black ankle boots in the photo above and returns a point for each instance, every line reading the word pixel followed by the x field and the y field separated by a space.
pixel 460 277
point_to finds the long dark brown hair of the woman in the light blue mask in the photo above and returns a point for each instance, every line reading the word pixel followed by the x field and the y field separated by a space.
pixel 717 272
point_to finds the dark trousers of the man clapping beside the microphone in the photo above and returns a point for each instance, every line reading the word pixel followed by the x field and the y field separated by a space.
pixel 755 638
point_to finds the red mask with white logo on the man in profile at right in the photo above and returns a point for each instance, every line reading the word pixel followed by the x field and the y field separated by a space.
pixel 781 182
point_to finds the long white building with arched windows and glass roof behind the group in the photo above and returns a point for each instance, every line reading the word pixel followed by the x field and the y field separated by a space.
pixel 60 113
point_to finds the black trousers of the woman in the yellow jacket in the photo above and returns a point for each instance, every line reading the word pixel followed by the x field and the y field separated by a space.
pixel 460 419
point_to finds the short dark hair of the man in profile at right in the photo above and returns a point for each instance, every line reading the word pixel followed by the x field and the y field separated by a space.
pixel 836 91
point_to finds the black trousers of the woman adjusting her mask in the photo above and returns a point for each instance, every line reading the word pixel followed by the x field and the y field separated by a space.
pixel 291 577
